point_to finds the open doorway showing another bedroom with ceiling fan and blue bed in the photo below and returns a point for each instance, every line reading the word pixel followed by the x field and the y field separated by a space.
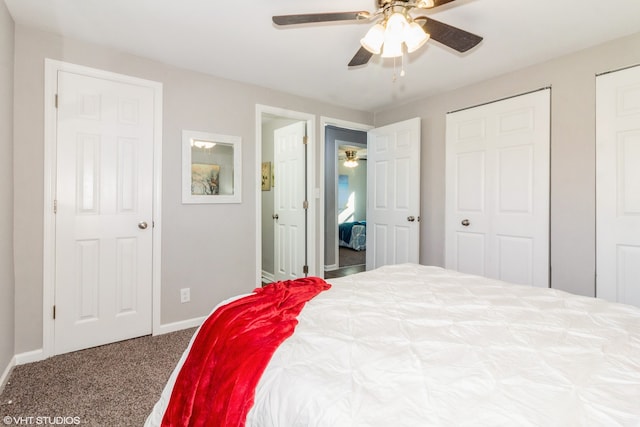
pixel 345 201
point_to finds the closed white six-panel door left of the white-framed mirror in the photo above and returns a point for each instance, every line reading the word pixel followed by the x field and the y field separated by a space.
pixel 104 199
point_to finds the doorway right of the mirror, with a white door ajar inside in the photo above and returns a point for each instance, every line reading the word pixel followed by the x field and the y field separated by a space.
pixel 284 225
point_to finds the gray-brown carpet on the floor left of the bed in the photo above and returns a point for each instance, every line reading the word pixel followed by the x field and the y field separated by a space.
pixel 111 385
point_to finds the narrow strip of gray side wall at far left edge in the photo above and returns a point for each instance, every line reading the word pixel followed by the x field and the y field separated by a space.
pixel 6 190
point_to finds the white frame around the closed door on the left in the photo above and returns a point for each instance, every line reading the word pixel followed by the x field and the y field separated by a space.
pixel 52 67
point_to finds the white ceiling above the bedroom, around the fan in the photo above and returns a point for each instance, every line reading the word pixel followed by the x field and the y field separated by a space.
pixel 237 40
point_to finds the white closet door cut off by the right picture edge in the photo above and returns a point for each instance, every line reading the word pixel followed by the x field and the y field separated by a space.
pixel 618 186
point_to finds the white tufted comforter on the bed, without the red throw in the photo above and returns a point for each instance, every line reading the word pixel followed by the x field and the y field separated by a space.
pixel 412 345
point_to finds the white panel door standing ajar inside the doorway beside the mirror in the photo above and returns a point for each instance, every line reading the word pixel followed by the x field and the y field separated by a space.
pixel 289 194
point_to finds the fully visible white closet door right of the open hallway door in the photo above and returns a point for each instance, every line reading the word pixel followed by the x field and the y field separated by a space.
pixel 497 190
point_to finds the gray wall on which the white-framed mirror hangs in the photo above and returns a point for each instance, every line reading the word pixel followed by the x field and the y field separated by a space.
pixel 216 263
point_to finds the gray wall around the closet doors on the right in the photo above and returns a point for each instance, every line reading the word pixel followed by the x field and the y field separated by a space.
pixel 572 79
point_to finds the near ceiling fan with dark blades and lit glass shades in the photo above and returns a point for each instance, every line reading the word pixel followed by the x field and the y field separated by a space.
pixel 395 27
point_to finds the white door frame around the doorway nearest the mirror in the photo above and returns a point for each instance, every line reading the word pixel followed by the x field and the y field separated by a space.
pixel 311 158
